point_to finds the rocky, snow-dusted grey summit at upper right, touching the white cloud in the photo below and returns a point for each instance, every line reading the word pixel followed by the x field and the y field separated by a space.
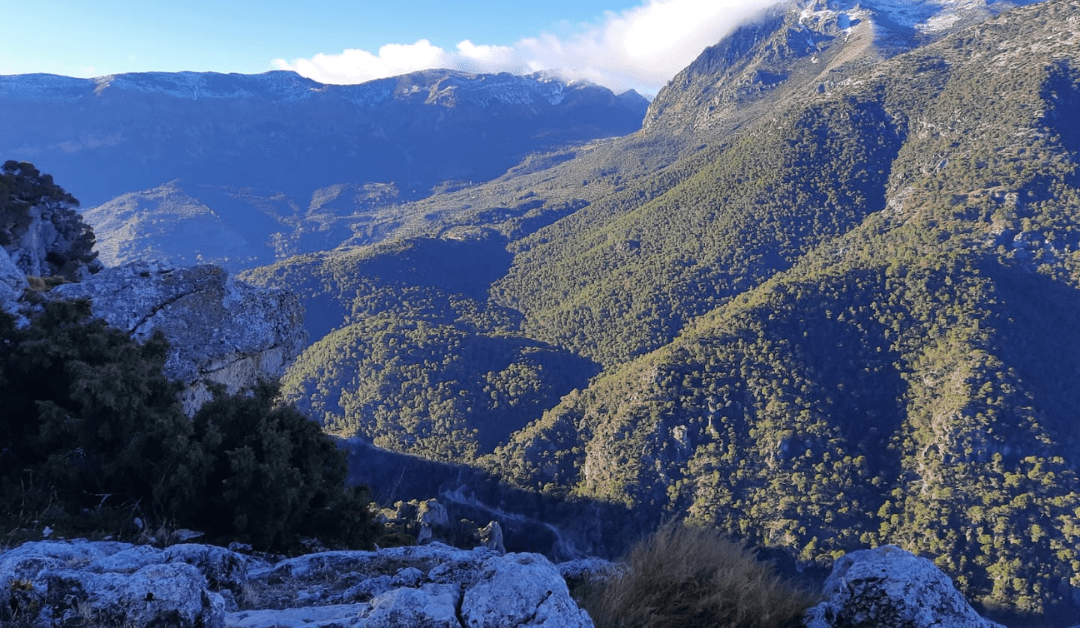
pixel 803 44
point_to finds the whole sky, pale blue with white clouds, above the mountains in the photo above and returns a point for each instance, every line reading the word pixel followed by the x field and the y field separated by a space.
pixel 618 44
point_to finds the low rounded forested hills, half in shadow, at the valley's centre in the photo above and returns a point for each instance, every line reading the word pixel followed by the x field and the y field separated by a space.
pixel 420 360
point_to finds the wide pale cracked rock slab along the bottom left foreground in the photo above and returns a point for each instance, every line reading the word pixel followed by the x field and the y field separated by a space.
pixel 55 584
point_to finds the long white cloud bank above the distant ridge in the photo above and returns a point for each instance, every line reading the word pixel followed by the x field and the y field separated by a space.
pixel 641 48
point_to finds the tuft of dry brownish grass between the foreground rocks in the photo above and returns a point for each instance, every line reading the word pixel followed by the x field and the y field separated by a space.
pixel 692 577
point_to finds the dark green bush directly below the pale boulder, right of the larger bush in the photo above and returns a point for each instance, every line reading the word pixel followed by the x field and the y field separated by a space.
pixel 275 475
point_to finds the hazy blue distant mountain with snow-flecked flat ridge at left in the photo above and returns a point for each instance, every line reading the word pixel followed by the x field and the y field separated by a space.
pixel 275 164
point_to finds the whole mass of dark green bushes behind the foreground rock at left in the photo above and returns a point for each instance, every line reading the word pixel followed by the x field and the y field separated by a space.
pixel 94 436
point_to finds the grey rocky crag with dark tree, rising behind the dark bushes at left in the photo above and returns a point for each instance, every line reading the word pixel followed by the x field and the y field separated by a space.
pixel 222 331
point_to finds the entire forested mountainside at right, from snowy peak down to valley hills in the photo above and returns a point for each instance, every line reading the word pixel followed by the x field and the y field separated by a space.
pixel 825 298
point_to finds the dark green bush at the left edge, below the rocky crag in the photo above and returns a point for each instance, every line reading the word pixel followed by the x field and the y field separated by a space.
pixel 89 421
